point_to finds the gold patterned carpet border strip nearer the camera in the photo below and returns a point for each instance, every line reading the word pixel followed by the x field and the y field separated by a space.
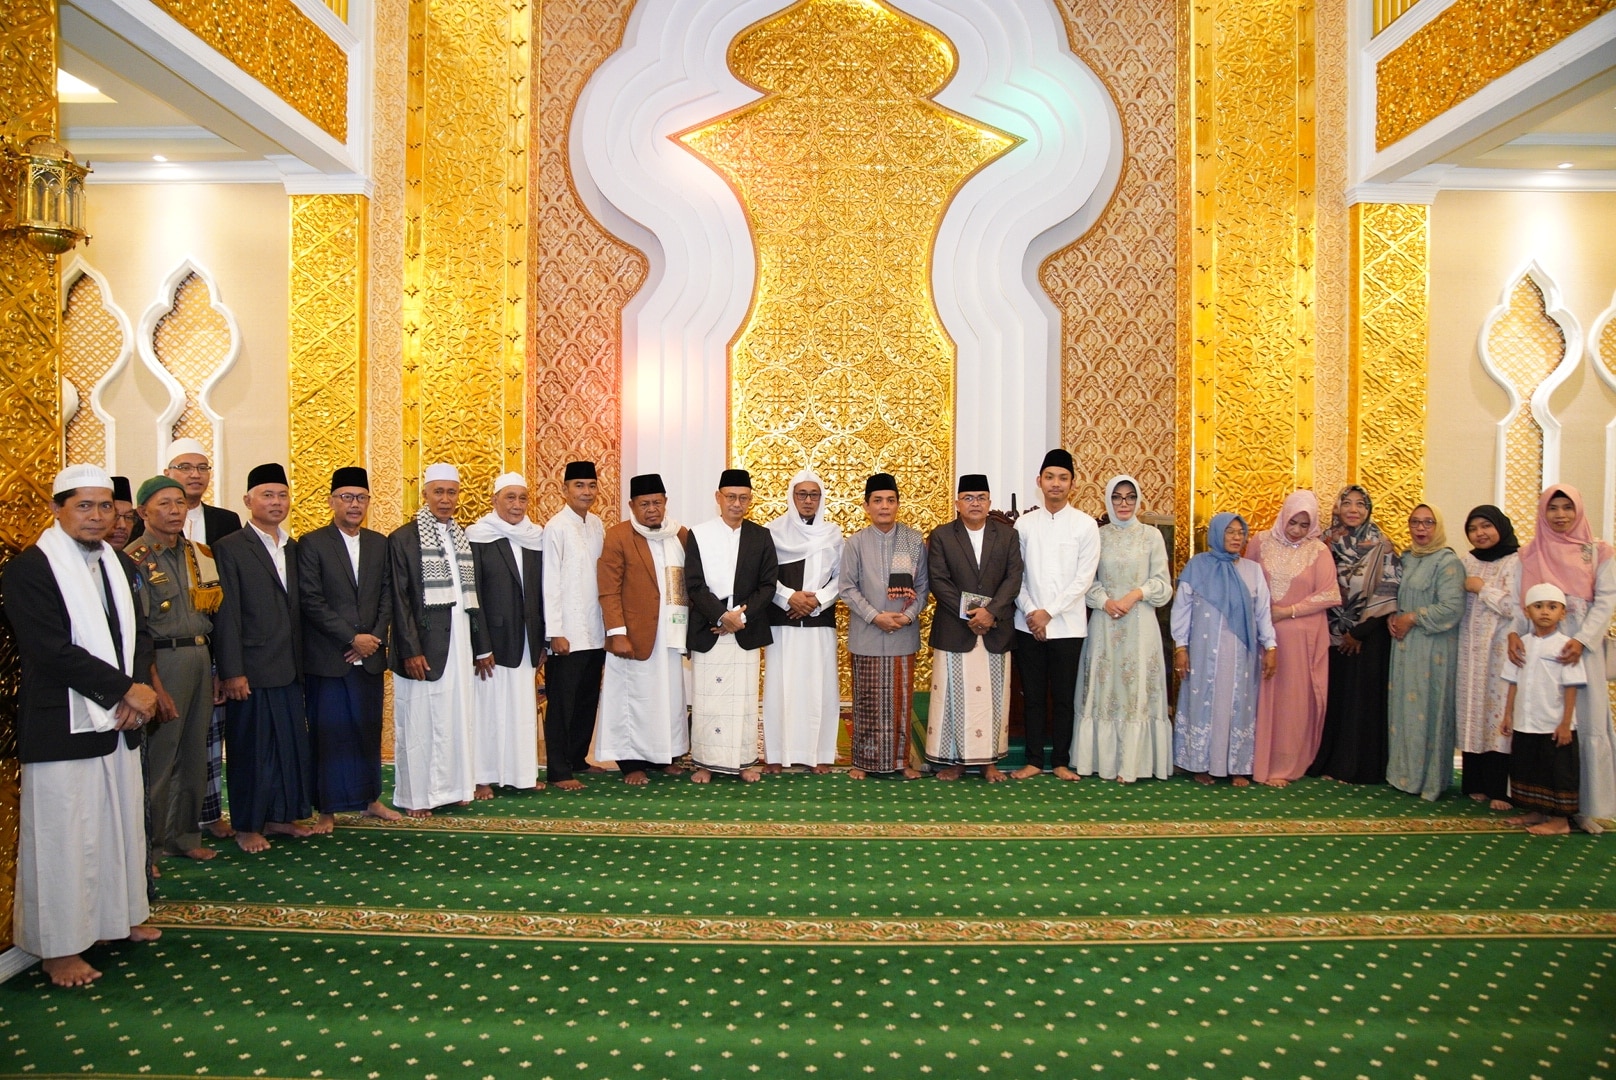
pixel 746 930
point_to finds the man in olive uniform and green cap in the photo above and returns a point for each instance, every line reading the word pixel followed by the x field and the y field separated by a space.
pixel 177 601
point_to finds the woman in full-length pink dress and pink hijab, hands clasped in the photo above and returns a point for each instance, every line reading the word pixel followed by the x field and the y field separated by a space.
pixel 1303 584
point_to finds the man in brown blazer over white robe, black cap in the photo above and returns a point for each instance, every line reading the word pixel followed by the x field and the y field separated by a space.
pixel 642 581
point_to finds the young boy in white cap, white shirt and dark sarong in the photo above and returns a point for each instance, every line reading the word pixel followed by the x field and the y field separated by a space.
pixel 1541 712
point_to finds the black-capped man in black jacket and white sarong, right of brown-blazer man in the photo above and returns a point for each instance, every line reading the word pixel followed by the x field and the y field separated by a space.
pixel 730 575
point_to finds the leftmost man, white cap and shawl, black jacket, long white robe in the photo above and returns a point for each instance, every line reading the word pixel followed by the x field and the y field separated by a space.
pixel 82 859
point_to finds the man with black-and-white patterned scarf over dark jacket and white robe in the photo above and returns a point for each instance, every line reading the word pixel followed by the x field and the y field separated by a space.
pixel 439 648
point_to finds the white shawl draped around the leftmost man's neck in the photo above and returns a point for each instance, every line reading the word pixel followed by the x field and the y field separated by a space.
pixel 82 591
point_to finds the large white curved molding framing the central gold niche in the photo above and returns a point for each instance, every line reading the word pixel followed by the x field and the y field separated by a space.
pixel 671 74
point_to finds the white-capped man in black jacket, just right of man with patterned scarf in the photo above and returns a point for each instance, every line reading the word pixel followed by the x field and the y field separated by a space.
pixel 508 554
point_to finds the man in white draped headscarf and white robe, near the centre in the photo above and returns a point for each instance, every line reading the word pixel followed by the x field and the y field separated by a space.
pixel 802 699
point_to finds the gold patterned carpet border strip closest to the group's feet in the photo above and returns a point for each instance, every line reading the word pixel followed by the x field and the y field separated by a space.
pixel 940 830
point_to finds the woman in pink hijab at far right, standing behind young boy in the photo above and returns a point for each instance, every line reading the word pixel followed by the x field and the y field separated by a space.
pixel 1565 554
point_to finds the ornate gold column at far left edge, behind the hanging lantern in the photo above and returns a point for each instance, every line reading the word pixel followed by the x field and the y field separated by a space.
pixel 30 373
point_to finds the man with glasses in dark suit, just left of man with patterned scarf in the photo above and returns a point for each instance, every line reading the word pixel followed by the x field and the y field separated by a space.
pixel 345 588
